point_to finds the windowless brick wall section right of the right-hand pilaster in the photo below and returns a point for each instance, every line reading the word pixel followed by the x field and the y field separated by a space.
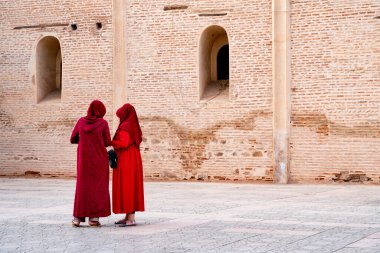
pixel 335 132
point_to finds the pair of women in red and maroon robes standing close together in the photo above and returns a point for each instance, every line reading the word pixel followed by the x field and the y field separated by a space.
pixel 92 195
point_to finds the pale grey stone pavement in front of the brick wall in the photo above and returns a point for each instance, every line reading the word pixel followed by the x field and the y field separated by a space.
pixel 35 216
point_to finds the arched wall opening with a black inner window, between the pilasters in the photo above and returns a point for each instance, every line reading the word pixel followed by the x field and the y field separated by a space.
pixel 214 67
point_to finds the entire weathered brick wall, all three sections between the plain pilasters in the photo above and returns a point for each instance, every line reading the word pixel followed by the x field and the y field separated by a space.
pixel 335 89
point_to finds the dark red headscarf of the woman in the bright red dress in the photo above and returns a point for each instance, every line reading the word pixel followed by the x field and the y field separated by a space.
pixel 129 123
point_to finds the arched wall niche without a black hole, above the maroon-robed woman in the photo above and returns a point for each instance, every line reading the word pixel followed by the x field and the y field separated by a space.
pixel 48 69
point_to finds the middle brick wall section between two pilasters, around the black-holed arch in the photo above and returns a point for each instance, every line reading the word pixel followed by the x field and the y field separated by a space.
pixel 186 138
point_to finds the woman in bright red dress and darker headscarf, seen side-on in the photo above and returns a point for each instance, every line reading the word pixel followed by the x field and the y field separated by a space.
pixel 127 178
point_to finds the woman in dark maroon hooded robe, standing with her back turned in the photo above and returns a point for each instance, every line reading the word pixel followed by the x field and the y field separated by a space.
pixel 92 197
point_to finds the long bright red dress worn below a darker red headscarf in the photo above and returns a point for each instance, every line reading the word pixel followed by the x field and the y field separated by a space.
pixel 127 178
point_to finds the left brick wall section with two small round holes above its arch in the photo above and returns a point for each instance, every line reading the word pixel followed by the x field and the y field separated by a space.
pixel 35 137
